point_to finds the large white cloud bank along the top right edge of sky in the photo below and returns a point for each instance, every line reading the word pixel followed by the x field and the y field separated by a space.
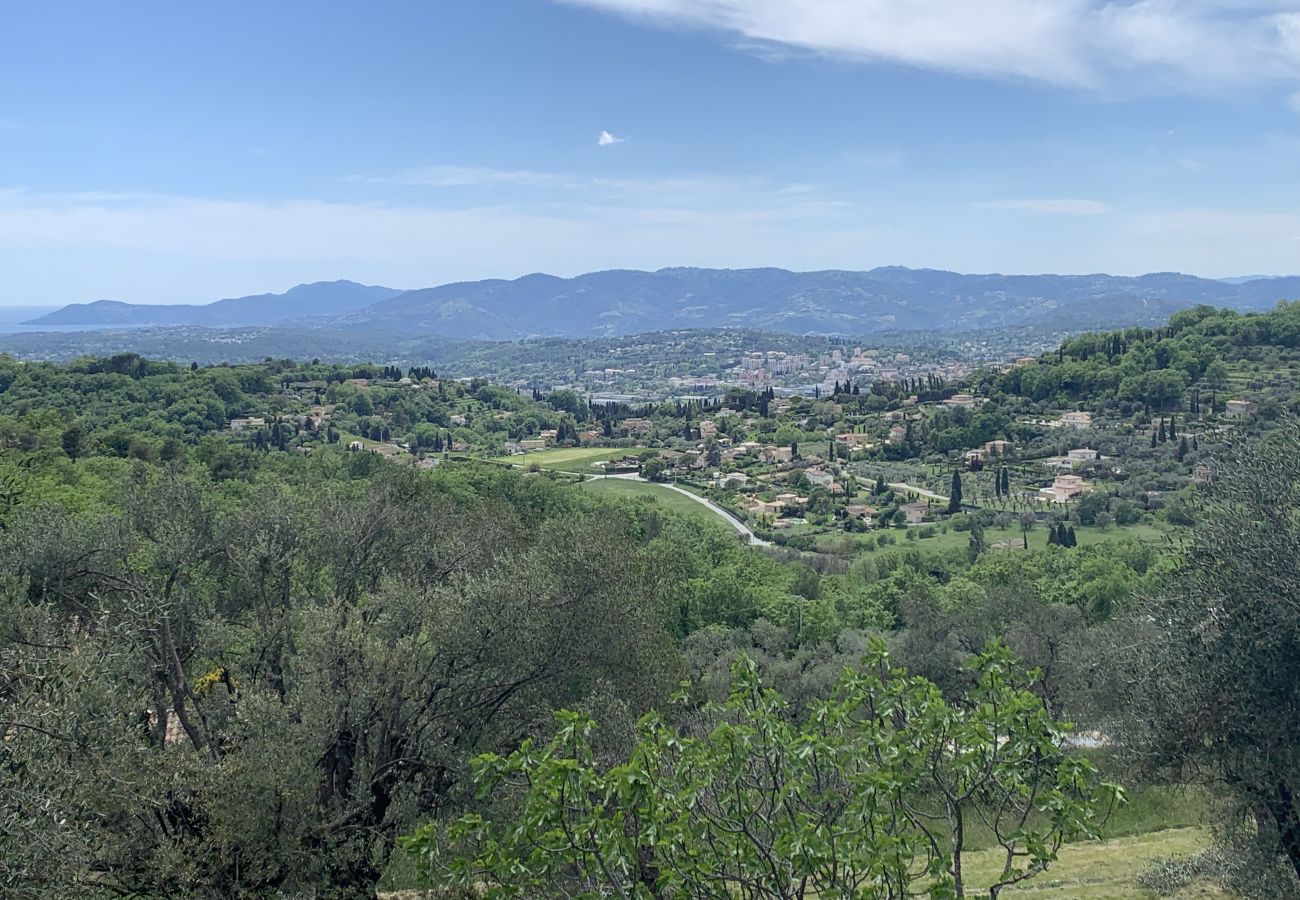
pixel 1094 44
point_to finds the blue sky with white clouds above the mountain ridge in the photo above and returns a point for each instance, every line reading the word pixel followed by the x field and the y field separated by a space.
pixel 183 153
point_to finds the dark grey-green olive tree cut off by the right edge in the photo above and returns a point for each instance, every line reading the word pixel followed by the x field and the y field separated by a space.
pixel 1208 669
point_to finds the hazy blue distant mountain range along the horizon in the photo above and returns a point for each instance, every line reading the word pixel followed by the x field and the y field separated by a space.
pixel 631 302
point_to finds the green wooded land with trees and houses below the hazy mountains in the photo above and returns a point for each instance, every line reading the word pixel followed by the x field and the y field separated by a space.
pixel 291 629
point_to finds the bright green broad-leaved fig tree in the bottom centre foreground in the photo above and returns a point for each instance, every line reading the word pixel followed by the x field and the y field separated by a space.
pixel 872 795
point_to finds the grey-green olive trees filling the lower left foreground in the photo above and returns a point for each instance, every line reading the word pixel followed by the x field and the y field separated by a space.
pixel 254 695
